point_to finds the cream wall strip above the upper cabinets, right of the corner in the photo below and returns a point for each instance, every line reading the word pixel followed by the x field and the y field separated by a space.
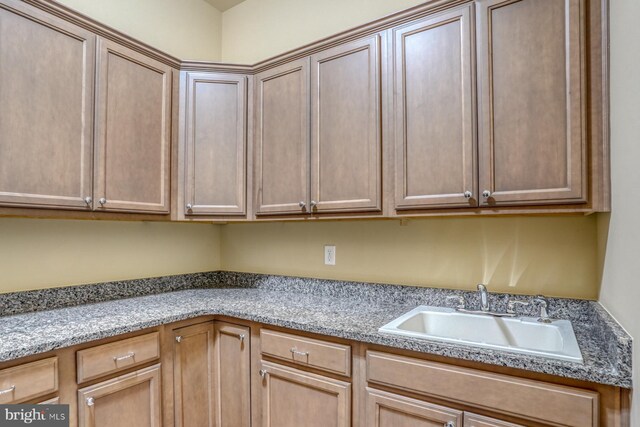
pixel 258 29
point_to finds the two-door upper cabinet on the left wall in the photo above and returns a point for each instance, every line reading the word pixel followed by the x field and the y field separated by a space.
pixel 80 129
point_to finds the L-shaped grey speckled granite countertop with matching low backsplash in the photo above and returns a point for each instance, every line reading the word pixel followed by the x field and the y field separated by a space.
pixel 348 310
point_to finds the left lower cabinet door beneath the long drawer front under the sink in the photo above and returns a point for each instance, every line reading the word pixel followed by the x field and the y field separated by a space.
pixel 392 410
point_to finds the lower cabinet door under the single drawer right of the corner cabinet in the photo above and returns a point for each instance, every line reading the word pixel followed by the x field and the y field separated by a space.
pixel 293 398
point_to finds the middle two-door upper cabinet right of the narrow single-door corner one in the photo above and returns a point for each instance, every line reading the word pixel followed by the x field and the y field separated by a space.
pixel 318 132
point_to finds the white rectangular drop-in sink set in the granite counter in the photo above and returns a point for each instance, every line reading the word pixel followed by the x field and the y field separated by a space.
pixel 525 335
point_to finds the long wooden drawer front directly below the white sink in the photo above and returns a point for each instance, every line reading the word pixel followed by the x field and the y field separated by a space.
pixel 522 398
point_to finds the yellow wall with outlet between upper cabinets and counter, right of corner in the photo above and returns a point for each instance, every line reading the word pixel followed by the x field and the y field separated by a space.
pixel 526 255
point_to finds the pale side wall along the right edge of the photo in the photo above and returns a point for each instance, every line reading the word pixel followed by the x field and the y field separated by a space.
pixel 619 234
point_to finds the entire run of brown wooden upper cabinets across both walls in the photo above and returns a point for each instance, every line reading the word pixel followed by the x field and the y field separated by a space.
pixel 476 107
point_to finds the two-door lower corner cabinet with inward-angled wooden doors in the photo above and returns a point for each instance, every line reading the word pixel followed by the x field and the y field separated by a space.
pixel 211 375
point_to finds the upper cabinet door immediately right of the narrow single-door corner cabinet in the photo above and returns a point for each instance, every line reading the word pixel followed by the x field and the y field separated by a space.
pixel 282 139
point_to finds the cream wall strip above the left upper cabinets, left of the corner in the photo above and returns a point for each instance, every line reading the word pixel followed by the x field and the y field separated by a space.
pixel 186 29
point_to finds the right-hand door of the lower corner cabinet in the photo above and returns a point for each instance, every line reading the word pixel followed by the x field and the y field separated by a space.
pixel 232 348
